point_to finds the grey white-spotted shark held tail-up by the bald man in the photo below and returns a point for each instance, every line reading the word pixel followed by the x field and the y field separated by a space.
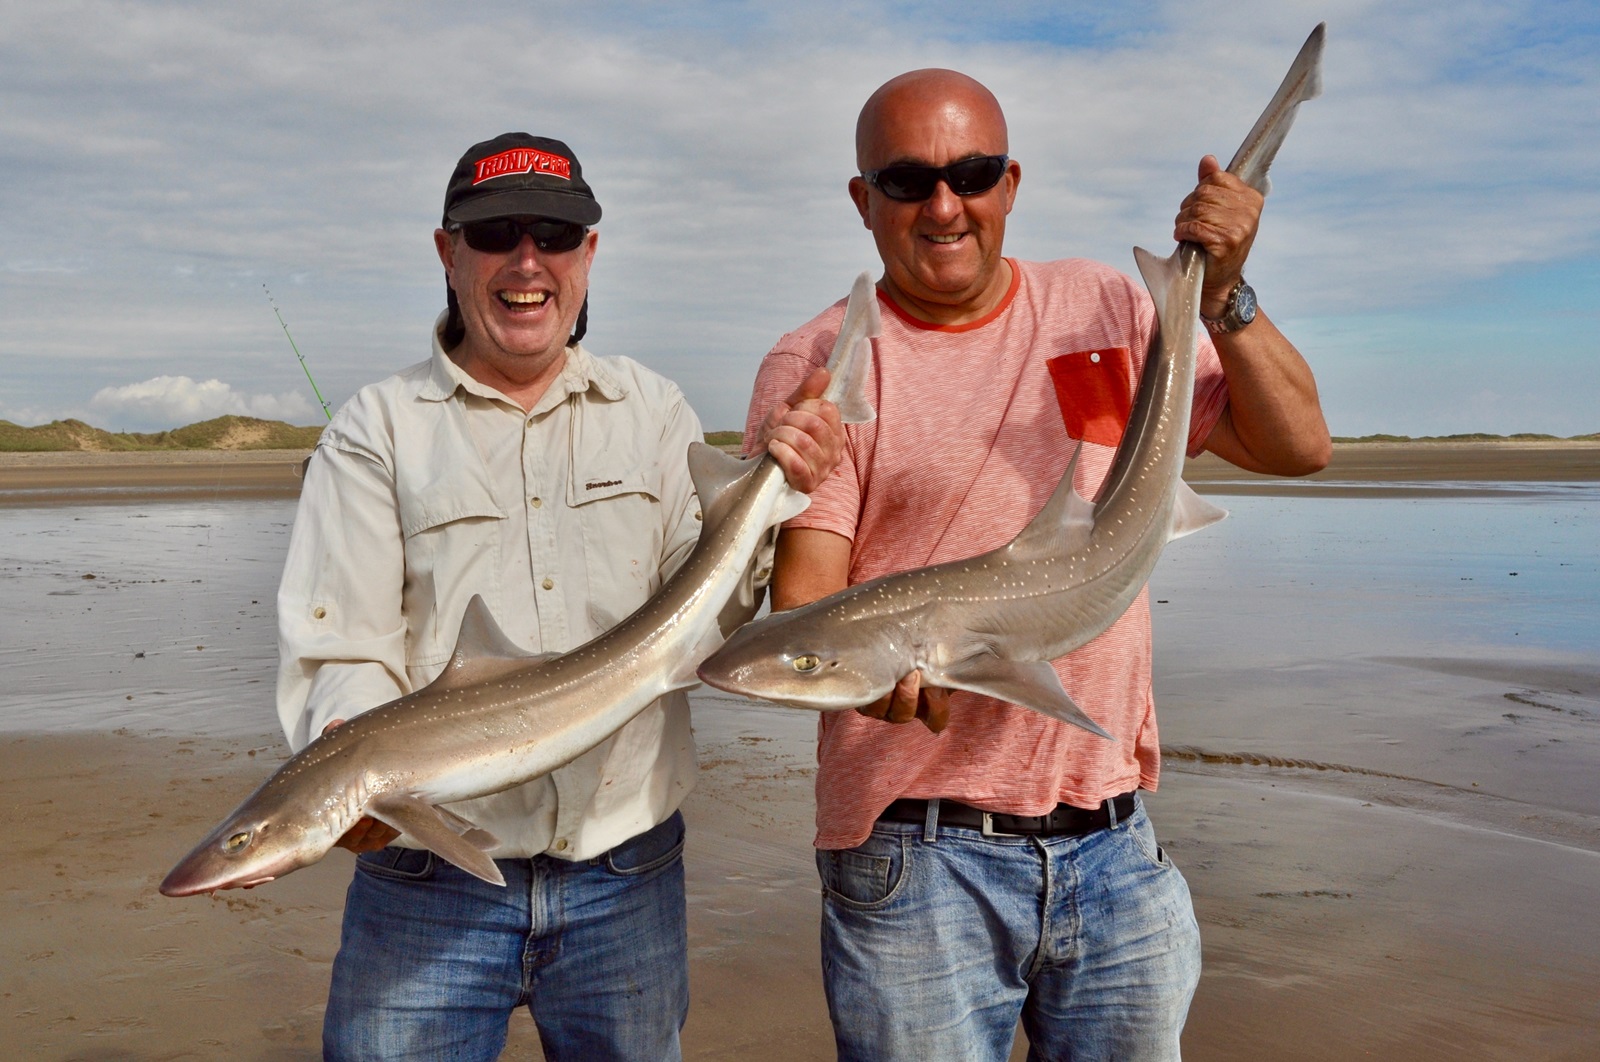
pixel 991 625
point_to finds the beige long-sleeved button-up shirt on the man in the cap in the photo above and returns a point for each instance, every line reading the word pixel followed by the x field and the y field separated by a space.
pixel 428 489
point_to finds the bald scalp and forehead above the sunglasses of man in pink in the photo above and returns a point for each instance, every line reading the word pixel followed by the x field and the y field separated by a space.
pixel 945 103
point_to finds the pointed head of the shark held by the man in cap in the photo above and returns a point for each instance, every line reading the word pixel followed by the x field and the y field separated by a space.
pixel 263 840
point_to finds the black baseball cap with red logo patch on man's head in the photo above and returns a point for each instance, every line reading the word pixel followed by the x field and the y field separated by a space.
pixel 519 175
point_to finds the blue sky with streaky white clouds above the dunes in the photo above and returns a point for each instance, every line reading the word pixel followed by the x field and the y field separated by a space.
pixel 1431 244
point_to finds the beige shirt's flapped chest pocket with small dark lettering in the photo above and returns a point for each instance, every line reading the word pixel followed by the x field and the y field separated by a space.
pixel 622 521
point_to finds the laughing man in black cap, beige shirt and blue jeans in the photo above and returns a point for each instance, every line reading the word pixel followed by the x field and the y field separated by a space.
pixel 518 466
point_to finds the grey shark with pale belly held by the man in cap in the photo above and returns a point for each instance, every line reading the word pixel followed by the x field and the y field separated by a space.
pixel 498 716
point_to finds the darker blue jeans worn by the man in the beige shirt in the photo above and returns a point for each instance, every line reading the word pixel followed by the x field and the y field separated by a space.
pixel 433 962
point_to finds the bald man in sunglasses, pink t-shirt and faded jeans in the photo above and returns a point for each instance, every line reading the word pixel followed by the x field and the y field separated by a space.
pixel 991 864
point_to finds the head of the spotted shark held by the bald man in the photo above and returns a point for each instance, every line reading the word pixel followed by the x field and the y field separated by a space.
pixel 790 660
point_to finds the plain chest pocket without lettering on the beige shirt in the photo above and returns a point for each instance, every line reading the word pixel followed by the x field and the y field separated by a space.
pixel 452 551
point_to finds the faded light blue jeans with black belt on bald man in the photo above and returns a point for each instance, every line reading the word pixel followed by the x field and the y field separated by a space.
pixel 937 941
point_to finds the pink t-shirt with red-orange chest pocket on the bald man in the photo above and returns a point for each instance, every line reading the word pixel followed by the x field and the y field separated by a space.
pixel 970 441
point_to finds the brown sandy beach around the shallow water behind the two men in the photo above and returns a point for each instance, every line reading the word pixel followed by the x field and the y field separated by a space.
pixel 1388 909
